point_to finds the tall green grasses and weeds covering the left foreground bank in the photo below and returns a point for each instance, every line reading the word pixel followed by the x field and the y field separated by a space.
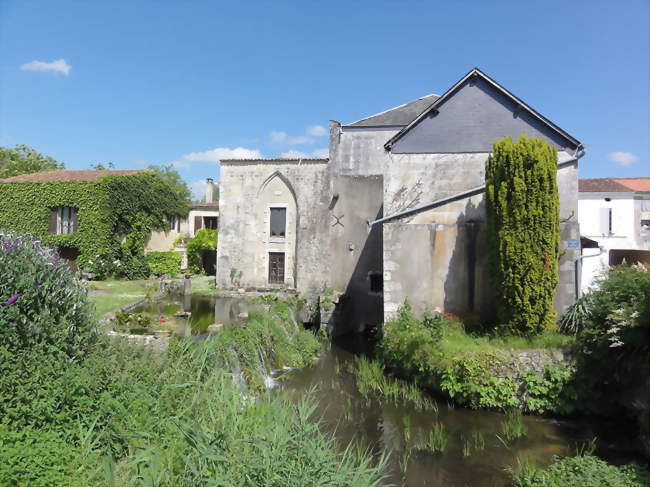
pixel 127 415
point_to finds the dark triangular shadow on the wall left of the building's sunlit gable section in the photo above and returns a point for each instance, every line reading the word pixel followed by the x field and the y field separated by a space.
pixel 361 307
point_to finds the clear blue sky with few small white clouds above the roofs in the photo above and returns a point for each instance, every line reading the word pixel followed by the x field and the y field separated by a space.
pixel 144 82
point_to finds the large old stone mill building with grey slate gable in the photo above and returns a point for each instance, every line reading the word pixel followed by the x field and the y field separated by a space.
pixel 395 213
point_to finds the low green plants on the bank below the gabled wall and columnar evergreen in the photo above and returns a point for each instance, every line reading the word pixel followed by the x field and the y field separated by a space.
pixel 477 372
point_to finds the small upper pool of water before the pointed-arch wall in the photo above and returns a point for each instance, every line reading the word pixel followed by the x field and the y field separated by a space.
pixel 204 311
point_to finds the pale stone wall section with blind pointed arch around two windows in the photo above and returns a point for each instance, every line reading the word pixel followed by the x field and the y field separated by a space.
pixel 244 240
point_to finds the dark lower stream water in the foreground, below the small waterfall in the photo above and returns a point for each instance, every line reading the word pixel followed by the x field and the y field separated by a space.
pixel 385 427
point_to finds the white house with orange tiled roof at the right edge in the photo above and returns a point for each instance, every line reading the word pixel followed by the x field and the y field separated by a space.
pixel 615 213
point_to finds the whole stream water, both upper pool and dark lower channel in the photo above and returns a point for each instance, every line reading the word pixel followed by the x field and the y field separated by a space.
pixel 400 429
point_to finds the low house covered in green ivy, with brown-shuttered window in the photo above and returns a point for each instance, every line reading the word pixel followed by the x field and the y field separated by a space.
pixel 99 220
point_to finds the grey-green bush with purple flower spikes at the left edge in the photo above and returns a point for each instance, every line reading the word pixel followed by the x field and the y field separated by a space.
pixel 40 299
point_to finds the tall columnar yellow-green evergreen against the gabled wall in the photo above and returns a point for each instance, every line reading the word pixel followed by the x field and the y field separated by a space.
pixel 522 208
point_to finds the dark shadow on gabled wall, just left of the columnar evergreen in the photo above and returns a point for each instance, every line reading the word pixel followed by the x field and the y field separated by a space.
pixel 467 288
